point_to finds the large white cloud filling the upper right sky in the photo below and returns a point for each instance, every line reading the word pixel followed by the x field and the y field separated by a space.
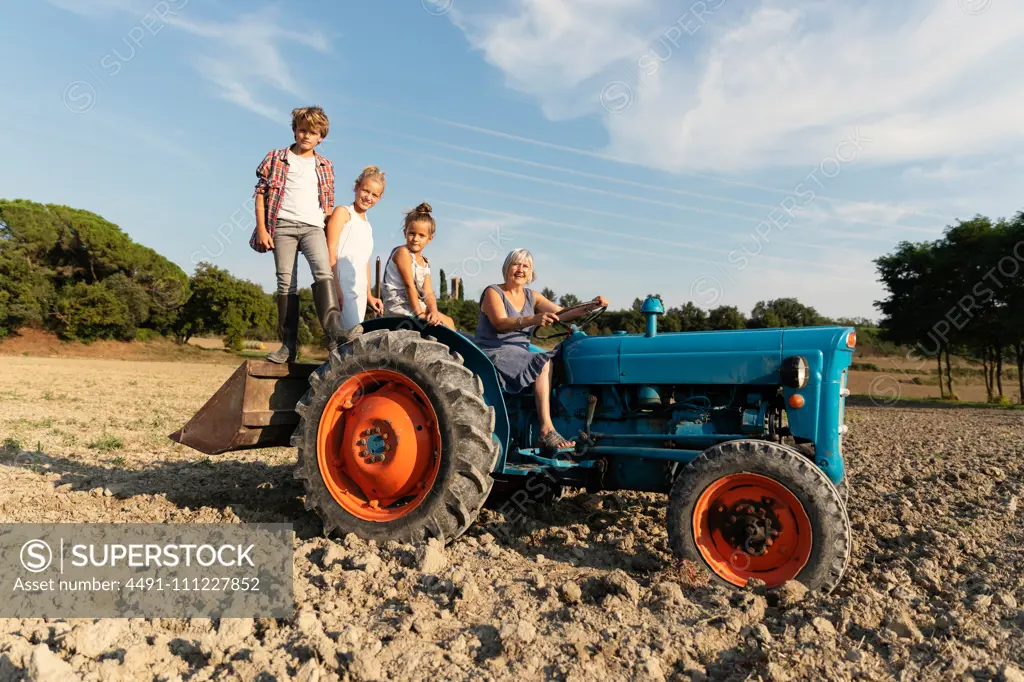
pixel 780 84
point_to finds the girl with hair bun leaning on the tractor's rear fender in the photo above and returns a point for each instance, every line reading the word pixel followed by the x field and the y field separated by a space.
pixel 407 288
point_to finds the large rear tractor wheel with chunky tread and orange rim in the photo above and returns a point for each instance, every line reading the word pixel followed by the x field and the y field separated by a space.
pixel 395 441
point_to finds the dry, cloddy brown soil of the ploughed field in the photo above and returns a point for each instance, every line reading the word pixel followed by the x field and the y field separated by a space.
pixel 584 589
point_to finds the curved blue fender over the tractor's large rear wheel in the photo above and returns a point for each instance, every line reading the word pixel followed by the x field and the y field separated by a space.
pixel 473 358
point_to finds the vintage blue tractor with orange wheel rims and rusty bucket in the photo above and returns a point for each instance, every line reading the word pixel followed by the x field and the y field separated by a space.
pixel 405 434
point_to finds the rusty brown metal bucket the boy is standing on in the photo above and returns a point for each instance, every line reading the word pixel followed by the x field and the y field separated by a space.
pixel 255 408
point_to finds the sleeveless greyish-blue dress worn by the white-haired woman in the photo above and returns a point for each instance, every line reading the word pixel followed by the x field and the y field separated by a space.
pixel 518 366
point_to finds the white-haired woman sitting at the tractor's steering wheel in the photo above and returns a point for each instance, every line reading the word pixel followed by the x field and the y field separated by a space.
pixel 508 313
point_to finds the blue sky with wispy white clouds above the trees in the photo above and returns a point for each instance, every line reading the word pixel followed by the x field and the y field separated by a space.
pixel 719 152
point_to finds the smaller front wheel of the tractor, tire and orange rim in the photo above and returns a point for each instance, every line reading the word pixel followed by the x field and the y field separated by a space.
pixel 754 509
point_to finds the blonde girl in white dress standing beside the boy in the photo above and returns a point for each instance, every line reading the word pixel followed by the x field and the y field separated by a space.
pixel 351 243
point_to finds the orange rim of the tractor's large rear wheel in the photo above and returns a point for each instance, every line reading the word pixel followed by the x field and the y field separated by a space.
pixel 378 446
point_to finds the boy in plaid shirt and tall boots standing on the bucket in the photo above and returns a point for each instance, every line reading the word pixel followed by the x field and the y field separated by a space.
pixel 294 197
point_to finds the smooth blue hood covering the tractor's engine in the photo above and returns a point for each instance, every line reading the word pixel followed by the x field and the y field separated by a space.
pixel 734 357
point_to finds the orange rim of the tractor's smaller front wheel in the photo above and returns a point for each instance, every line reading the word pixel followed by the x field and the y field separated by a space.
pixel 748 526
